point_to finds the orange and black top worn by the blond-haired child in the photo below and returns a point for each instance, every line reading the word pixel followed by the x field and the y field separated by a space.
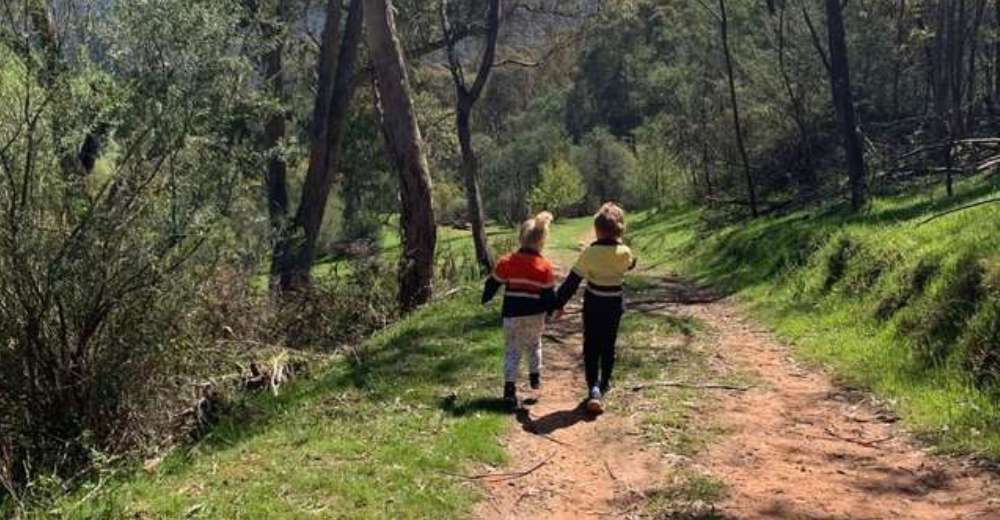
pixel 530 283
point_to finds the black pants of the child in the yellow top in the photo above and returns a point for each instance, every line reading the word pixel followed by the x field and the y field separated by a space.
pixel 601 317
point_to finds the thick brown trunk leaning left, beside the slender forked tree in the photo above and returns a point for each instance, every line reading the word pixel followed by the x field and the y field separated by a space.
pixel 406 150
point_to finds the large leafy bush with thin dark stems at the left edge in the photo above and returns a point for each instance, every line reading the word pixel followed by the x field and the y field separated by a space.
pixel 97 274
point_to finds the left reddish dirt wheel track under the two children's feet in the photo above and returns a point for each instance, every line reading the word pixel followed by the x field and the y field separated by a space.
pixel 590 466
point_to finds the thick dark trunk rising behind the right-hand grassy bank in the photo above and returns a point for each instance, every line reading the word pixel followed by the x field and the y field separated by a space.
pixel 840 85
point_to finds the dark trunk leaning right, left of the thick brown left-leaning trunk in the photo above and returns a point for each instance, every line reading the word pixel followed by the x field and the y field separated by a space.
pixel 333 97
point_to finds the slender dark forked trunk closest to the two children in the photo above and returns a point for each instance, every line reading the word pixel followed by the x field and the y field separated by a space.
pixel 465 98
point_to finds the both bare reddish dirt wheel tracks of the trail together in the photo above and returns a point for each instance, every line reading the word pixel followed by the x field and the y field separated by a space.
pixel 796 446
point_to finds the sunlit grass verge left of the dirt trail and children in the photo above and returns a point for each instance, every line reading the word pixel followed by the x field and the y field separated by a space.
pixel 368 438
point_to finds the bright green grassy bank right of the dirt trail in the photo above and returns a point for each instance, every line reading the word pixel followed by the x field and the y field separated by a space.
pixel 905 309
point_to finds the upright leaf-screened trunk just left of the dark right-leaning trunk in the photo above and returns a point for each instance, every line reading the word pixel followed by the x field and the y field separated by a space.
pixel 275 129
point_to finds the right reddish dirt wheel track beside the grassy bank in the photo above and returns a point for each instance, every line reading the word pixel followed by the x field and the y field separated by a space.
pixel 802 448
